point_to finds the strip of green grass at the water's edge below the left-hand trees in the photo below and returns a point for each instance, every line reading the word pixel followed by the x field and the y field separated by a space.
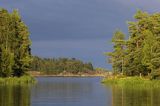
pixel 17 80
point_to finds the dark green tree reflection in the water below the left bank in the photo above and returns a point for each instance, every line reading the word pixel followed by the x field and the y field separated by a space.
pixel 15 95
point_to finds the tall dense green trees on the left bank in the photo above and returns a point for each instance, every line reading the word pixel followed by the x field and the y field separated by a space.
pixel 15 52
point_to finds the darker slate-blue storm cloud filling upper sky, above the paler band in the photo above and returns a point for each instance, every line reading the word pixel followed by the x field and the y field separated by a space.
pixel 70 19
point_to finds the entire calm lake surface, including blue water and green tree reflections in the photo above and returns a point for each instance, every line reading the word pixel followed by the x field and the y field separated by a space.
pixel 76 91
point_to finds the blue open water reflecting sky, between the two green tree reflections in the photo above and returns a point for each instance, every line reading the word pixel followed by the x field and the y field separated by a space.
pixel 69 91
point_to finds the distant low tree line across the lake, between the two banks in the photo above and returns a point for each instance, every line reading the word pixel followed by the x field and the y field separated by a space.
pixel 60 65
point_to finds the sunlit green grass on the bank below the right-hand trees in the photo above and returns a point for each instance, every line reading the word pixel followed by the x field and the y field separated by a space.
pixel 132 82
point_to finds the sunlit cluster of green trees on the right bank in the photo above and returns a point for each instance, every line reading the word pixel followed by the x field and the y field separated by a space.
pixel 140 53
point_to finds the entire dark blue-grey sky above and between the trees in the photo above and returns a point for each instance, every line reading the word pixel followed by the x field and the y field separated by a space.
pixel 80 29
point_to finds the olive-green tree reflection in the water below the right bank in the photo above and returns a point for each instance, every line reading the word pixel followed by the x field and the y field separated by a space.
pixel 135 97
